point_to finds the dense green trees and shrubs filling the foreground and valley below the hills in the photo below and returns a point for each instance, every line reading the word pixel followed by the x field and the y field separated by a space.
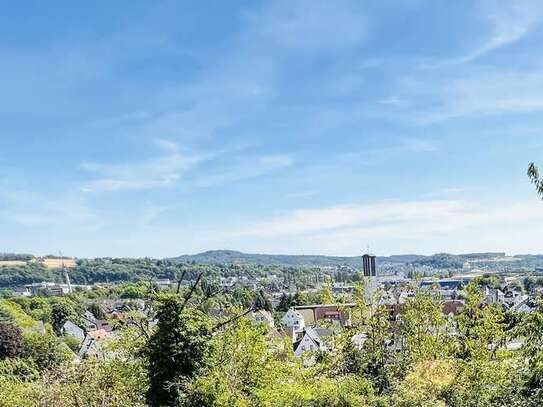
pixel 195 356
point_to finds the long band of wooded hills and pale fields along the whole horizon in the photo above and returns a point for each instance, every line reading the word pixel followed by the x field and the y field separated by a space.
pixel 16 269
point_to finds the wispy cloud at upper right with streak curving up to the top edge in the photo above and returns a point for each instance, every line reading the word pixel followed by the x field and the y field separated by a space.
pixel 474 90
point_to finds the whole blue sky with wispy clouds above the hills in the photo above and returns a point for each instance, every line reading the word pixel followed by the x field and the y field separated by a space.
pixel 157 128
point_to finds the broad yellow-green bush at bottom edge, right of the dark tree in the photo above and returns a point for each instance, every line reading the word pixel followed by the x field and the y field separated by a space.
pixel 248 368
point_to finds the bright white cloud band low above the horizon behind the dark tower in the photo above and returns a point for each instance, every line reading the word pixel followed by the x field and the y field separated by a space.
pixel 468 227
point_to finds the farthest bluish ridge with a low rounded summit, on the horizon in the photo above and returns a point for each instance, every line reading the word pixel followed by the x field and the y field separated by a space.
pixel 232 256
